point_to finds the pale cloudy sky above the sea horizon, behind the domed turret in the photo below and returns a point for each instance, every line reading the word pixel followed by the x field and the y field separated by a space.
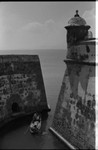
pixel 35 25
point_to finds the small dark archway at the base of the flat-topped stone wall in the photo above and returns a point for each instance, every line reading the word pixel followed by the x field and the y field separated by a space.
pixel 14 104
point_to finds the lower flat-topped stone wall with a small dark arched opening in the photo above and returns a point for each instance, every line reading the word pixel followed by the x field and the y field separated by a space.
pixel 21 85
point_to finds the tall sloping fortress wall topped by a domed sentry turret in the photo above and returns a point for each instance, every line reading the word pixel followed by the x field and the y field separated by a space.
pixel 74 118
